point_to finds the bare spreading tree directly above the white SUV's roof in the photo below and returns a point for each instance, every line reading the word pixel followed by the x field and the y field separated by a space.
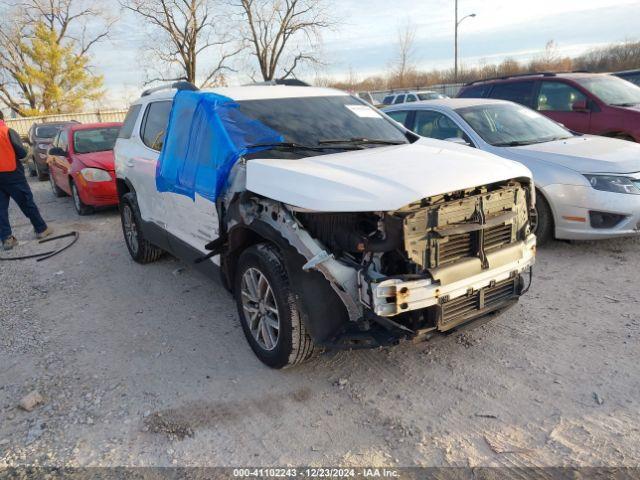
pixel 283 34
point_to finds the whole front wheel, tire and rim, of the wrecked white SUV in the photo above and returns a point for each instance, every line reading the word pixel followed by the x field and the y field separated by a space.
pixel 268 310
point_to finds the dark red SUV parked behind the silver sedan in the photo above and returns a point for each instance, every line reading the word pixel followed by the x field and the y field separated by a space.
pixel 599 104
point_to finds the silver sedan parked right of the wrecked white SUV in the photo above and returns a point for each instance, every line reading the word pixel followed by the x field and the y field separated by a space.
pixel 588 186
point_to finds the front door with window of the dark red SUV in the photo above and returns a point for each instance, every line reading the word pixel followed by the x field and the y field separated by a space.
pixel 557 100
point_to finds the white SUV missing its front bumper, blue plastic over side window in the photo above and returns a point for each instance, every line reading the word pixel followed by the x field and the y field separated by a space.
pixel 348 232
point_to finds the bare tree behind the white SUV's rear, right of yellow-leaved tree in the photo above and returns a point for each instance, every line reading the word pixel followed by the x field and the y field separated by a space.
pixel 189 31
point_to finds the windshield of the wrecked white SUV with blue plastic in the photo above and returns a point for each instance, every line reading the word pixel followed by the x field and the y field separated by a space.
pixel 312 120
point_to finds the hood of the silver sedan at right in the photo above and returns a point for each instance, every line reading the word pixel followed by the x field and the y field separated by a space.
pixel 586 154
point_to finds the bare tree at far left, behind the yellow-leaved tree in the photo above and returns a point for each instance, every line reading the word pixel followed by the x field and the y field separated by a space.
pixel 76 24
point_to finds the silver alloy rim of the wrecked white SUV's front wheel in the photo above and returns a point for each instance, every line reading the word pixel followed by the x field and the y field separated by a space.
pixel 260 309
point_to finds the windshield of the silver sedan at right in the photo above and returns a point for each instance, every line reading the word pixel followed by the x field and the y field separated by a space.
pixel 512 125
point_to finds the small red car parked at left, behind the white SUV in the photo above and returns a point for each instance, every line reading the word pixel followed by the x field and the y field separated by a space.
pixel 81 165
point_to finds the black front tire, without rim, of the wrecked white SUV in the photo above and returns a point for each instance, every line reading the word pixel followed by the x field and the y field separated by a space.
pixel 294 344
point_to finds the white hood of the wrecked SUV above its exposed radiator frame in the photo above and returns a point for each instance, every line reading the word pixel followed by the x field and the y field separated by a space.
pixel 378 179
